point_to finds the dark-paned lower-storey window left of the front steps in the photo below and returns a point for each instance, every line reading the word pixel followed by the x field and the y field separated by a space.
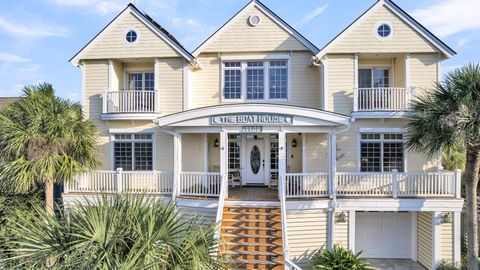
pixel 133 152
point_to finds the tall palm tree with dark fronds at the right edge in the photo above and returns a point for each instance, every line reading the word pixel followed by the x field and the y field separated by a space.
pixel 446 117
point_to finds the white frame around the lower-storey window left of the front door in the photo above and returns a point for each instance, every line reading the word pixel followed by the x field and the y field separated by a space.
pixel 133 131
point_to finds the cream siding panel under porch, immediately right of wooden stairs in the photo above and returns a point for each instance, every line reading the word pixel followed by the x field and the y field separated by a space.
pixel 307 233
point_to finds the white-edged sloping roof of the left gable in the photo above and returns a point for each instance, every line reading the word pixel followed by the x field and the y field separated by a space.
pixel 150 23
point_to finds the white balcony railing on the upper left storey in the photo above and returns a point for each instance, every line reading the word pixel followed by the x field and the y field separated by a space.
pixel 131 101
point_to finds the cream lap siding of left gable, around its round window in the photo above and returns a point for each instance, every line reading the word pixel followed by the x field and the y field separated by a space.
pixel 111 44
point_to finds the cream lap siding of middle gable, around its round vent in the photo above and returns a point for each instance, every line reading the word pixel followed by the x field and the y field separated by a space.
pixel 239 36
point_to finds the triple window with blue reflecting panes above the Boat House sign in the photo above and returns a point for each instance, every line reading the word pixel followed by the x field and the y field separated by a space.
pixel 255 80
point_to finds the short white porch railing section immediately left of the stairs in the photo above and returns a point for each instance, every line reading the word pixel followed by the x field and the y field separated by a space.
pixel 199 184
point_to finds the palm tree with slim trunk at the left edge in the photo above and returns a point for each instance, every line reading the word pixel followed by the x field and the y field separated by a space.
pixel 43 139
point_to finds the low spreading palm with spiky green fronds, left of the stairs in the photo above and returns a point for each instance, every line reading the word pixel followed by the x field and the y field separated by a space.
pixel 117 232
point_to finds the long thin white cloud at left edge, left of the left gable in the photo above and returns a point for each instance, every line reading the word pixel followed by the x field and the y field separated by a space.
pixel 32 30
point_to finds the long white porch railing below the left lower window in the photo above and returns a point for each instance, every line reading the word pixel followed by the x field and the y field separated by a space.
pixel 119 181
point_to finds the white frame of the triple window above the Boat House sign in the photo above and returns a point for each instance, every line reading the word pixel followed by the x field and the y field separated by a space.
pixel 243 59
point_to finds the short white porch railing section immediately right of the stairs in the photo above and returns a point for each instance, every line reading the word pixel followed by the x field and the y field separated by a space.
pixel 304 185
